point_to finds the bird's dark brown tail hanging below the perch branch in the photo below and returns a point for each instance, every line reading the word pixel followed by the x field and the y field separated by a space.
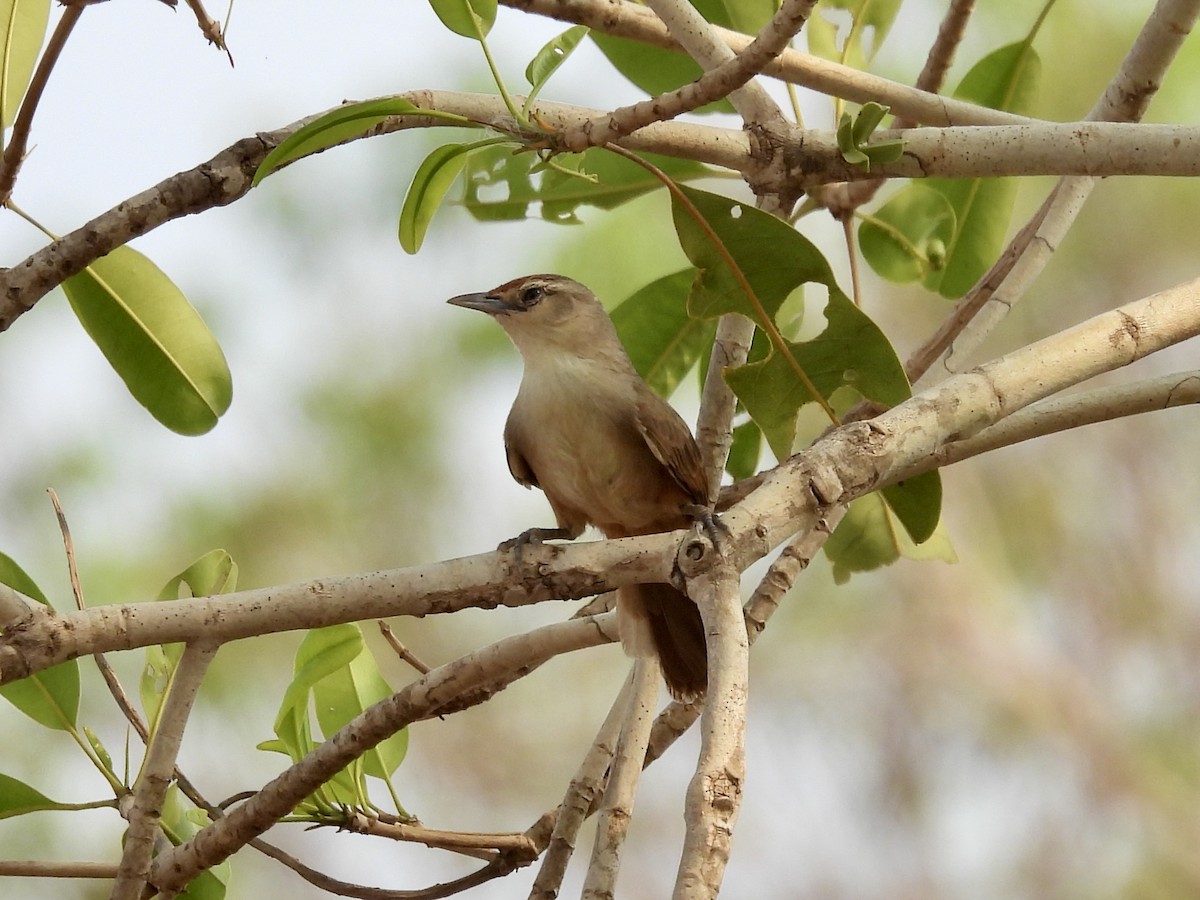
pixel 659 621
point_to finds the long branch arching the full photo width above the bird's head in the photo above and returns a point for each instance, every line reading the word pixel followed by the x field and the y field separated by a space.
pixel 1095 149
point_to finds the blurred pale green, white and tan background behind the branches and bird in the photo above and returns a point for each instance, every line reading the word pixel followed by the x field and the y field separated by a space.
pixel 1025 723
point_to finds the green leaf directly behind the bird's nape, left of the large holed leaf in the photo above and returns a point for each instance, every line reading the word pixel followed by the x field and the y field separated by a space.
pixel 662 340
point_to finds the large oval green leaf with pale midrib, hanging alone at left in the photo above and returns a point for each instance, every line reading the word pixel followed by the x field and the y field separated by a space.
pixel 154 339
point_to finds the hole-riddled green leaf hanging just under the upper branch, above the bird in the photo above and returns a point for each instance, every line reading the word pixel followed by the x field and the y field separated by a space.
pixel 503 187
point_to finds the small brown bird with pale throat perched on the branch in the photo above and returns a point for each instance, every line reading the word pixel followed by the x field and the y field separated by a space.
pixel 605 449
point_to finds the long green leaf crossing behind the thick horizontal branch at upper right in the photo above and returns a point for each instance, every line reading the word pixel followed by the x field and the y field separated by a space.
pixel 1004 80
